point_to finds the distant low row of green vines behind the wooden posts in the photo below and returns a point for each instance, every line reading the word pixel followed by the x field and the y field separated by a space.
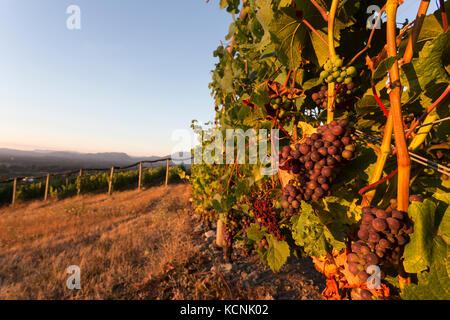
pixel 63 187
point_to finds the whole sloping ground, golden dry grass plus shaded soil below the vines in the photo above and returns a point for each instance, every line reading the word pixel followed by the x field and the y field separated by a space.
pixel 133 245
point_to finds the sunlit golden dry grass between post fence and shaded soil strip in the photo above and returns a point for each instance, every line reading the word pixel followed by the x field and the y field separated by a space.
pixel 118 242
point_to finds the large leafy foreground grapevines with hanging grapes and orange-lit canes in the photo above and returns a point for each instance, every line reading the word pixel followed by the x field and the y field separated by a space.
pixel 361 107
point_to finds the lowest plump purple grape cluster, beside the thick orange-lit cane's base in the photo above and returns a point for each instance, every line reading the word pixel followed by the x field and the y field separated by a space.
pixel 382 237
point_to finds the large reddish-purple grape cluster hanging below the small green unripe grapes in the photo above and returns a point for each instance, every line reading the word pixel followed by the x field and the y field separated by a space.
pixel 314 163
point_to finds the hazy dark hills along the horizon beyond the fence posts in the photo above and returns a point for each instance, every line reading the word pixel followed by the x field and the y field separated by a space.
pixel 31 163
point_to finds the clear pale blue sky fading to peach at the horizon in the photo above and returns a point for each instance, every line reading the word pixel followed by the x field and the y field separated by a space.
pixel 136 71
